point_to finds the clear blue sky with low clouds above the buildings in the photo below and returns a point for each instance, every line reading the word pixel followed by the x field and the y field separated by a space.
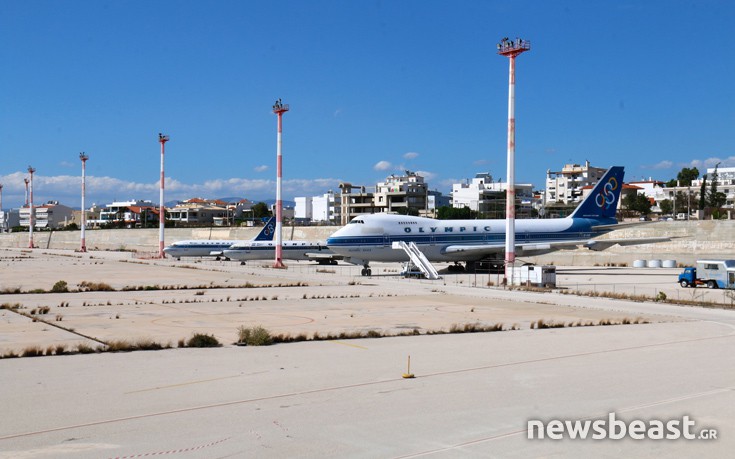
pixel 374 88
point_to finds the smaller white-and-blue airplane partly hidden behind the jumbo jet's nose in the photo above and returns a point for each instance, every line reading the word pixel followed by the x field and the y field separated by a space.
pixel 291 250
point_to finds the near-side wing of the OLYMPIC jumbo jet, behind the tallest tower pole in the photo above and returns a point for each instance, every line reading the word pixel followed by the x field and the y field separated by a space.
pixel 544 247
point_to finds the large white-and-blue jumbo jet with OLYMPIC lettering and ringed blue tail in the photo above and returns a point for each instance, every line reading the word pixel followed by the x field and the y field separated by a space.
pixel 369 237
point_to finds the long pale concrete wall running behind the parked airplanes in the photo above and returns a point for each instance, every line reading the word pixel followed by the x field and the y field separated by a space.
pixel 692 240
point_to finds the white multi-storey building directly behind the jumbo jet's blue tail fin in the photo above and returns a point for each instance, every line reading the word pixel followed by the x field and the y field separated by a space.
pixel 565 186
